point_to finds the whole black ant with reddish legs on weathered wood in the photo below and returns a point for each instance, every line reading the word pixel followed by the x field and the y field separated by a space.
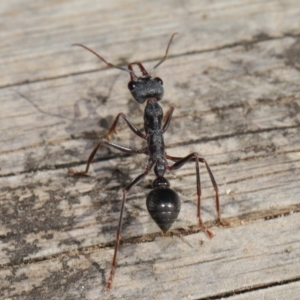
pixel 163 203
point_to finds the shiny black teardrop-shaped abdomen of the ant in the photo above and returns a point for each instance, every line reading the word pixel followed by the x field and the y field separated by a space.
pixel 163 205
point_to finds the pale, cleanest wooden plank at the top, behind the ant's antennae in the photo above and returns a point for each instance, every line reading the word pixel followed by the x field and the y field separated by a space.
pixel 36 37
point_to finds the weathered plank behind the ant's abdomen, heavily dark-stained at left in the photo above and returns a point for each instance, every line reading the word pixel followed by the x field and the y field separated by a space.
pixel 48 213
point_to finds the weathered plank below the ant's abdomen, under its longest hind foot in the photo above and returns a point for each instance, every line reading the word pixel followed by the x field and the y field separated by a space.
pixel 237 259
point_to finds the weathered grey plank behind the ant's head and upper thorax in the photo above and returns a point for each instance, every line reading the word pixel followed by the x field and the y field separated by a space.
pixel 241 93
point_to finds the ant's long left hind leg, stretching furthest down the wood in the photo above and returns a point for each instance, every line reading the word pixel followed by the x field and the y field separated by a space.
pixel 118 235
